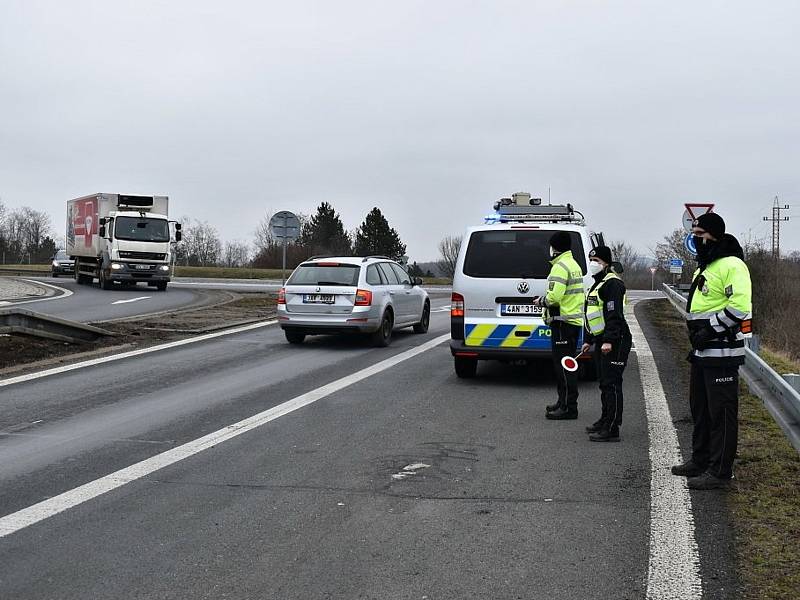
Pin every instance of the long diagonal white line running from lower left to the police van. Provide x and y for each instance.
(57, 504)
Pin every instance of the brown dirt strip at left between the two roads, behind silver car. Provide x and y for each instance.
(19, 353)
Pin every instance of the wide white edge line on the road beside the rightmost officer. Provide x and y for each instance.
(674, 565)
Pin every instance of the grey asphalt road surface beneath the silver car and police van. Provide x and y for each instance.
(508, 505)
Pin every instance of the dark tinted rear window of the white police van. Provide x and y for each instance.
(512, 254)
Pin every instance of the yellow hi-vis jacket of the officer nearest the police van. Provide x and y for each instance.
(565, 292)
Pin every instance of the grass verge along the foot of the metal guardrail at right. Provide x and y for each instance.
(765, 501)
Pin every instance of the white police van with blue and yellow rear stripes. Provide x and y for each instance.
(501, 266)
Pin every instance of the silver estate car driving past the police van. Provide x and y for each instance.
(352, 294)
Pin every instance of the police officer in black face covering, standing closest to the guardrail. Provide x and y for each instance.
(719, 312)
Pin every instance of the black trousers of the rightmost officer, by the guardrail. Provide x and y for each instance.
(714, 402)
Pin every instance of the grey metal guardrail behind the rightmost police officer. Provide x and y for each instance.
(780, 398)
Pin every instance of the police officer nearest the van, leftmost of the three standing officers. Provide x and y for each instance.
(563, 312)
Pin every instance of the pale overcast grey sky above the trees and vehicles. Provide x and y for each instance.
(429, 110)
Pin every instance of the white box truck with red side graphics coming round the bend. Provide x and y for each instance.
(120, 238)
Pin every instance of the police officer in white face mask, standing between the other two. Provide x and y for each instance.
(607, 329)
